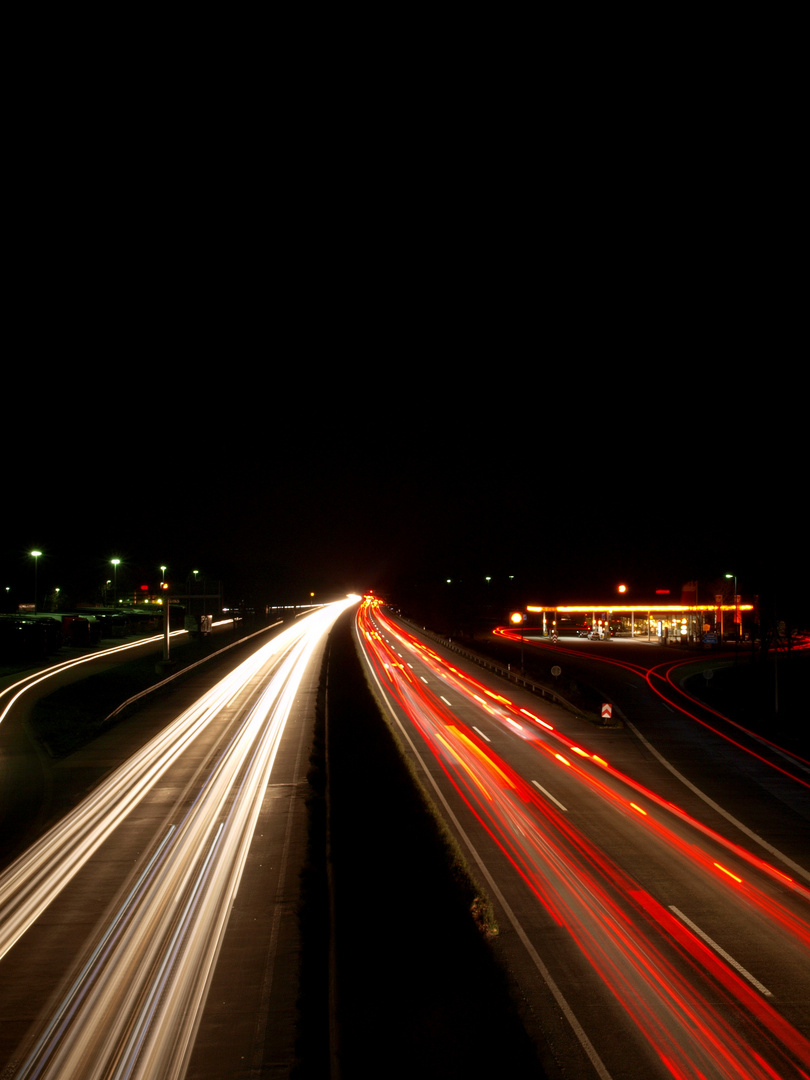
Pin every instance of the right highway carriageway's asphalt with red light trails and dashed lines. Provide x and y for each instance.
(654, 931)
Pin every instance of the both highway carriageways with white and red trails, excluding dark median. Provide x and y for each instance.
(655, 904)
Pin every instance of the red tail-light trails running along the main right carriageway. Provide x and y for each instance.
(699, 1015)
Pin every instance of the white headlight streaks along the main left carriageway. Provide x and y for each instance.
(136, 1008)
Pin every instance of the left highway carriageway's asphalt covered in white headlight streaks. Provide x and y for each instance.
(112, 925)
